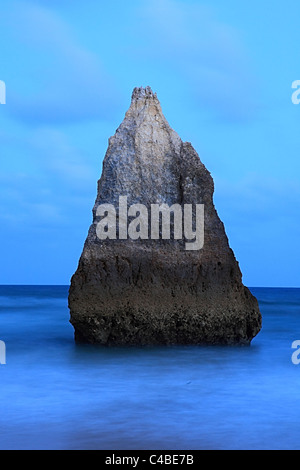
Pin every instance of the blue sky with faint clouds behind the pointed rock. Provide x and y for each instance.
(223, 73)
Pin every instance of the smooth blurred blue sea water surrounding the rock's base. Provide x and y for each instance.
(55, 394)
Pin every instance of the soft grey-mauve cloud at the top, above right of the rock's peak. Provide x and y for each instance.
(208, 53)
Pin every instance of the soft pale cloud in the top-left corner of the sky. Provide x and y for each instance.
(62, 80)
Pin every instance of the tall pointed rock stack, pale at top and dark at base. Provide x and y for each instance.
(148, 291)
